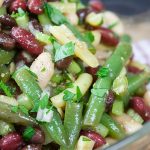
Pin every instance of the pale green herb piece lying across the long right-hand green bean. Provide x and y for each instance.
(99, 92)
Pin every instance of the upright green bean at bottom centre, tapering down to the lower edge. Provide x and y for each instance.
(72, 122)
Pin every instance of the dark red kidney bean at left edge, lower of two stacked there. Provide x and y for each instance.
(6, 41)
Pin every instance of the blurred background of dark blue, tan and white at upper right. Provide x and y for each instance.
(135, 14)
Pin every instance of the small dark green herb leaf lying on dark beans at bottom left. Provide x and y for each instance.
(28, 133)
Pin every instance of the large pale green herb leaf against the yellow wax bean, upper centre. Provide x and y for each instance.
(64, 51)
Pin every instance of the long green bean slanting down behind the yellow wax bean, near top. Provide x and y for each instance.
(58, 18)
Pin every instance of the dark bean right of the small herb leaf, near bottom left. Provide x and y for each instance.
(38, 137)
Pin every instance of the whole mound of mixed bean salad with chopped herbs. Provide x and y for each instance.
(68, 79)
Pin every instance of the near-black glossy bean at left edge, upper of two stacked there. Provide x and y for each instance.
(7, 21)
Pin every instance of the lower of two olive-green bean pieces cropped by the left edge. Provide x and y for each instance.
(4, 73)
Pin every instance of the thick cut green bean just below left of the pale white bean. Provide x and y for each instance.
(27, 81)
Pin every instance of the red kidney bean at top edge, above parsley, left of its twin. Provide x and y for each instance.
(18, 4)
